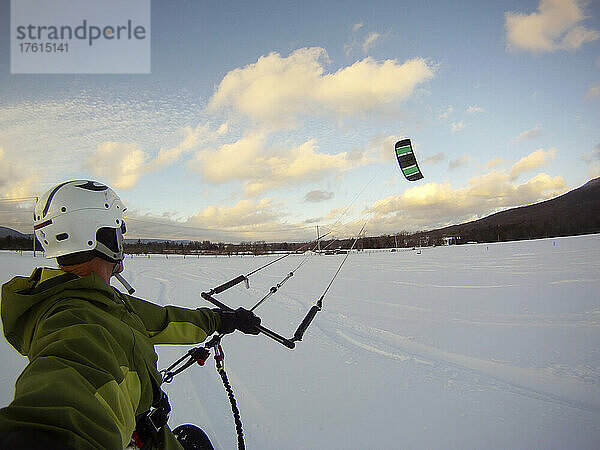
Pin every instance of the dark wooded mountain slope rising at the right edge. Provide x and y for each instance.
(573, 213)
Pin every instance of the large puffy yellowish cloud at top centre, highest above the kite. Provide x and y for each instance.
(277, 90)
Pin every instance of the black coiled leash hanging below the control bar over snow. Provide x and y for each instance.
(199, 355)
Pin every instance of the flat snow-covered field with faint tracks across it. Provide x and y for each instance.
(477, 346)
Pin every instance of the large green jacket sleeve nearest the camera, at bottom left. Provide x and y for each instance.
(78, 387)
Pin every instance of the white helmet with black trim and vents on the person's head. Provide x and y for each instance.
(80, 216)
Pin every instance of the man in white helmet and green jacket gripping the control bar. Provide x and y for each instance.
(92, 376)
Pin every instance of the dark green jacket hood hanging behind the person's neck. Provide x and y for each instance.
(24, 300)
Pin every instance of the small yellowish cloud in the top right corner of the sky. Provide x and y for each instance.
(554, 26)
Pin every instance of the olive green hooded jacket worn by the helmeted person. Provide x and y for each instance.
(92, 364)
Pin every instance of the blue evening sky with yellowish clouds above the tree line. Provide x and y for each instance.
(263, 120)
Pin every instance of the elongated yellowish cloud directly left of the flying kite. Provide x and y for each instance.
(261, 167)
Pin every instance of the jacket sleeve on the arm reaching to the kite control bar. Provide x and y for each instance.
(173, 324)
